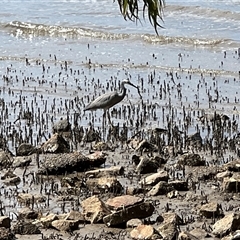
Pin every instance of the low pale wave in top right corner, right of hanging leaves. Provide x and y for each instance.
(204, 12)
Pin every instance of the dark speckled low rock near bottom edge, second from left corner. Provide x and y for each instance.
(25, 228)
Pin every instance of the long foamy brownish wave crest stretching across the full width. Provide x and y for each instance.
(30, 29)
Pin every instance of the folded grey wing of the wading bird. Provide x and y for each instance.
(106, 100)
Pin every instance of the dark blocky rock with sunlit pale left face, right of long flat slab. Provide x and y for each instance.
(147, 165)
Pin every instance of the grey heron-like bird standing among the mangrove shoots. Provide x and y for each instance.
(108, 100)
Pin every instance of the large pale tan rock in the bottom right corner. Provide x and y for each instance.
(229, 223)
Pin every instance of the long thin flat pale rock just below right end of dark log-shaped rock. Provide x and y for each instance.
(102, 172)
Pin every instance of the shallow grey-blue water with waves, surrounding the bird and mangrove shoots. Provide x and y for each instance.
(46, 49)
